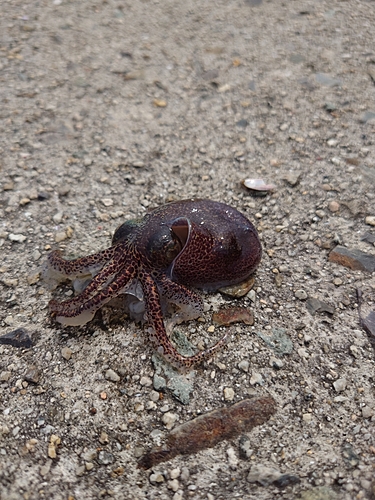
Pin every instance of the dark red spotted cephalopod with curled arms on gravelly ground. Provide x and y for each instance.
(199, 243)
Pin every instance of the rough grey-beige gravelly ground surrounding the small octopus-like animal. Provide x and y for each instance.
(109, 108)
